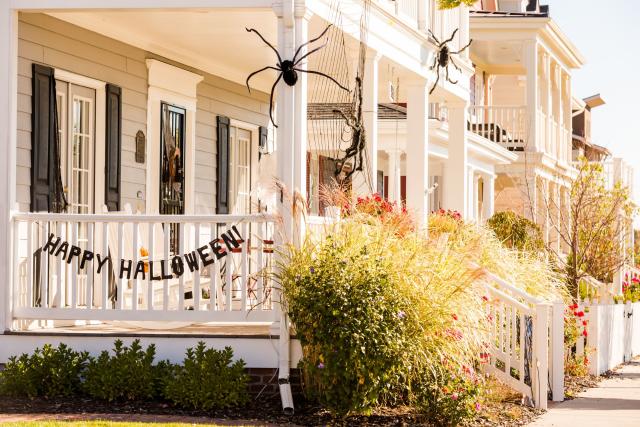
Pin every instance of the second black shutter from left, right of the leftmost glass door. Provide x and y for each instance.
(113, 142)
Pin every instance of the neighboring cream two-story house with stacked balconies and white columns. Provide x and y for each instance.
(522, 99)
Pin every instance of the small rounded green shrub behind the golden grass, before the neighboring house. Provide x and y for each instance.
(516, 232)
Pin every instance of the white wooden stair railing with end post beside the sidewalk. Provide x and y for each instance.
(526, 350)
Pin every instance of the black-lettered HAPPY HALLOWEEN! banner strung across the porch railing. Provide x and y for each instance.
(158, 270)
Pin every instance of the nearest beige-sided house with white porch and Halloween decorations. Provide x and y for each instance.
(121, 107)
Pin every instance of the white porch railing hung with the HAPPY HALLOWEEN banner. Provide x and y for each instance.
(190, 268)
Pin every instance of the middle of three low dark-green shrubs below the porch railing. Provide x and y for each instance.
(127, 375)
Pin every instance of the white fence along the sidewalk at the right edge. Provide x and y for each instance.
(613, 334)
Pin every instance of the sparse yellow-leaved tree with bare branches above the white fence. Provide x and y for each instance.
(595, 227)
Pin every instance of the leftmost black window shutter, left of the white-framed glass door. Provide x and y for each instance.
(43, 129)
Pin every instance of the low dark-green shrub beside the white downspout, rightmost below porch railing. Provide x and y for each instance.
(208, 379)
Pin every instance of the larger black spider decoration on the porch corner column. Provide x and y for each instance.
(288, 68)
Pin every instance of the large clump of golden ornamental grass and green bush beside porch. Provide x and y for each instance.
(387, 315)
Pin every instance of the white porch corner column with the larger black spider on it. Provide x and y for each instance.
(285, 117)
